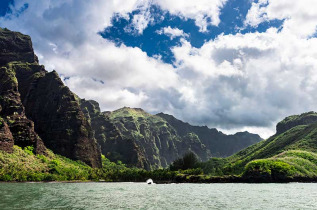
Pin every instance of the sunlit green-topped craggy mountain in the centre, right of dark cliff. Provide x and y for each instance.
(138, 138)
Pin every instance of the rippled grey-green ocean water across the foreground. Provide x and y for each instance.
(160, 196)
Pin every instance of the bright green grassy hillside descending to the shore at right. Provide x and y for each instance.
(290, 154)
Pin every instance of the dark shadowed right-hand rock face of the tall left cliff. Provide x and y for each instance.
(56, 114)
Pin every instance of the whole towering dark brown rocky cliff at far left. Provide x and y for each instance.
(38, 107)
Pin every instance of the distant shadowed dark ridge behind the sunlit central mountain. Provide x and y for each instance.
(219, 144)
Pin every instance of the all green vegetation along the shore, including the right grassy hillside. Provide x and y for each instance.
(284, 157)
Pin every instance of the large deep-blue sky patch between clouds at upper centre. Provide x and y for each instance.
(232, 17)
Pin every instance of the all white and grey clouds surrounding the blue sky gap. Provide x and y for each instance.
(235, 82)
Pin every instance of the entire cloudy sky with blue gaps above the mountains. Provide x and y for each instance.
(231, 64)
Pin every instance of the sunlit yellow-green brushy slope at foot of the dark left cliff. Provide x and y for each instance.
(23, 165)
